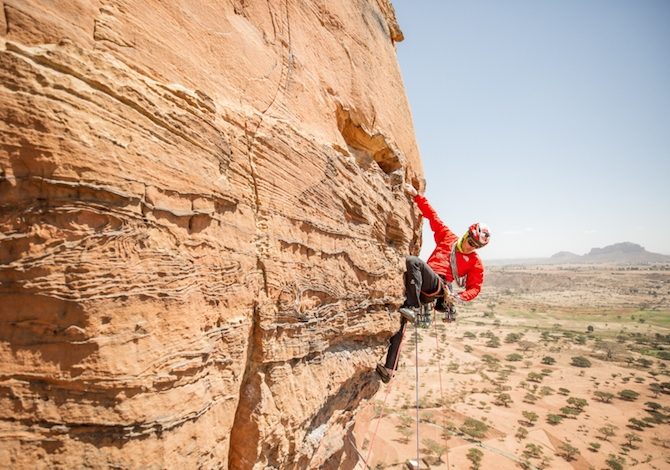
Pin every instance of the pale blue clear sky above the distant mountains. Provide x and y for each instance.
(547, 120)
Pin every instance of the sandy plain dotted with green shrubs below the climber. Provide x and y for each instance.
(617, 318)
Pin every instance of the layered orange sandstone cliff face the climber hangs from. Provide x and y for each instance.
(202, 229)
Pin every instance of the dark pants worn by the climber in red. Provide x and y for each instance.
(419, 277)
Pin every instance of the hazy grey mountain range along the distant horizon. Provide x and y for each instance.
(619, 253)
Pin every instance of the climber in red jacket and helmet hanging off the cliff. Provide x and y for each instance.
(454, 260)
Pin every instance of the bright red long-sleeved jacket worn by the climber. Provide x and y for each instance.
(439, 261)
